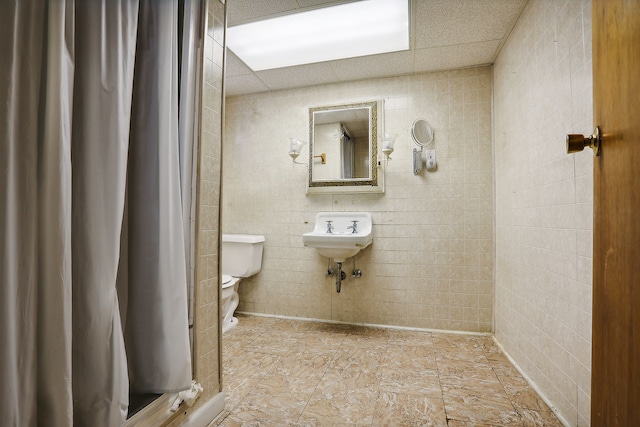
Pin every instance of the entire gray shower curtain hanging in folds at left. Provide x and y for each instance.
(89, 115)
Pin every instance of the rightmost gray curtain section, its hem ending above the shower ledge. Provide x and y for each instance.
(157, 273)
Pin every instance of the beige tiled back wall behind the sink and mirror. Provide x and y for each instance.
(431, 261)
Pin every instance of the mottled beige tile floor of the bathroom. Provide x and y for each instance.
(297, 373)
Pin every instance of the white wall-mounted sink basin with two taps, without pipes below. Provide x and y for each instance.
(334, 236)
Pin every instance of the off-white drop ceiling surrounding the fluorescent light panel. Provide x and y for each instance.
(473, 30)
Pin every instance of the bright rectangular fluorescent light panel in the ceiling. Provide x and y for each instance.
(345, 31)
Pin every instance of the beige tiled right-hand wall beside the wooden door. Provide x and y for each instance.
(544, 212)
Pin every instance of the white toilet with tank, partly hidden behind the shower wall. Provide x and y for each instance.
(241, 257)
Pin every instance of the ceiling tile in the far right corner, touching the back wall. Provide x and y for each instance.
(451, 57)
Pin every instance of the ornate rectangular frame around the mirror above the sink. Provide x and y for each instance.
(372, 183)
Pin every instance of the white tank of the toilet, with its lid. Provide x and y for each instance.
(241, 254)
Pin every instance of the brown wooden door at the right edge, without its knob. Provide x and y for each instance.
(615, 375)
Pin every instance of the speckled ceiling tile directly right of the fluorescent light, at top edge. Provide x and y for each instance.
(452, 22)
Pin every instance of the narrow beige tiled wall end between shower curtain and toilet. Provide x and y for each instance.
(207, 314)
